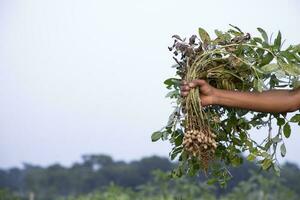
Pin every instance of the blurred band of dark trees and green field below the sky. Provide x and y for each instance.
(99, 177)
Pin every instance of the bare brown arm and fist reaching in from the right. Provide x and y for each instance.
(272, 101)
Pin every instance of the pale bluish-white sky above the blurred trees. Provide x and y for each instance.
(79, 77)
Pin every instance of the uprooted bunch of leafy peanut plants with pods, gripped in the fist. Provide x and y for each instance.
(212, 138)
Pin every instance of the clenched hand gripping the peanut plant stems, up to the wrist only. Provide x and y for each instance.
(207, 92)
